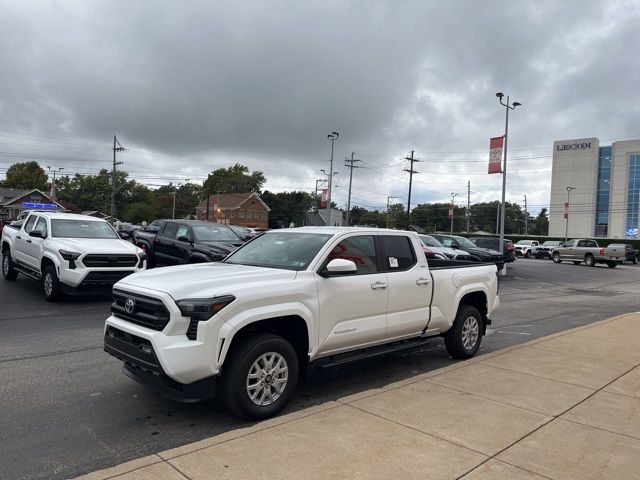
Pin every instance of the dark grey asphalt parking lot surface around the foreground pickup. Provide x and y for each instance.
(67, 409)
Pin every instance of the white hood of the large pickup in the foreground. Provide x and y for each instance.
(203, 279)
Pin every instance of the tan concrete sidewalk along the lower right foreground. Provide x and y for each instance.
(565, 406)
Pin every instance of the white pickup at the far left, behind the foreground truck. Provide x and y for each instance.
(68, 253)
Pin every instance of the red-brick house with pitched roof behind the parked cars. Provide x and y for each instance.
(244, 209)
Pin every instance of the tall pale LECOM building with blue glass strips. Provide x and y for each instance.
(595, 190)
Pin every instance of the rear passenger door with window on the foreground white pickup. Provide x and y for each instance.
(410, 287)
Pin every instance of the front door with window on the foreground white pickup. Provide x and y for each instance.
(352, 307)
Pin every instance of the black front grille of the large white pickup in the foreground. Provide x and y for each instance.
(146, 311)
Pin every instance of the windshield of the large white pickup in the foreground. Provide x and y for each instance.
(290, 251)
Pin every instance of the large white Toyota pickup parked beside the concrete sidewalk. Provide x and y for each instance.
(289, 300)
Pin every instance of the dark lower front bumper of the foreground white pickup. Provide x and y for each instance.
(142, 365)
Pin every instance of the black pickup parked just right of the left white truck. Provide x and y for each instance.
(187, 241)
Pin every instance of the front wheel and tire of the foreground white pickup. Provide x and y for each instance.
(259, 376)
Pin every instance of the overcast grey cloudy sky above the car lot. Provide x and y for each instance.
(191, 86)
